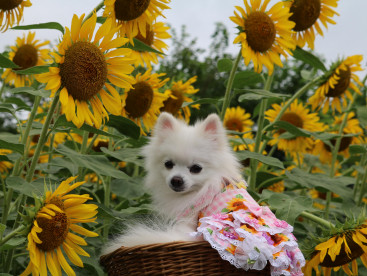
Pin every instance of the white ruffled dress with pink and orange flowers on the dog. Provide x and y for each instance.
(249, 235)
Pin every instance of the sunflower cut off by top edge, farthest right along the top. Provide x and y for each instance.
(308, 14)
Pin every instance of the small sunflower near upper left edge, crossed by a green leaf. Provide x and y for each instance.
(26, 53)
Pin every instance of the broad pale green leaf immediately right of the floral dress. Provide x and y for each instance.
(289, 207)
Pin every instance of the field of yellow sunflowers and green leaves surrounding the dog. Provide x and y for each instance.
(74, 116)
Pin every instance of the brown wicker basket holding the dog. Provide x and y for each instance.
(175, 258)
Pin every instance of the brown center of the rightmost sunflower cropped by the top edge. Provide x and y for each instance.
(304, 13)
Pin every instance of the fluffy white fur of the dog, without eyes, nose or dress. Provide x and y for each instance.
(204, 144)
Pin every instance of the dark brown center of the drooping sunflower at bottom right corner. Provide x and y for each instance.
(343, 257)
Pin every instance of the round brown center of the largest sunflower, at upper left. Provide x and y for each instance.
(84, 70)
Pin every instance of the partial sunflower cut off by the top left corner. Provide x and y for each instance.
(10, 11)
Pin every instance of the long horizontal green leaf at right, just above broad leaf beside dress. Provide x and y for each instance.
(336, 185)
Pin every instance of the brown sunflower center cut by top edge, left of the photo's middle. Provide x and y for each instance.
(127, 10)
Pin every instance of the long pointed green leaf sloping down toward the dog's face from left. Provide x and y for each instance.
(96, 163)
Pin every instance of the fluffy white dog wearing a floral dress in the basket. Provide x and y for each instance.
(193, 176)
